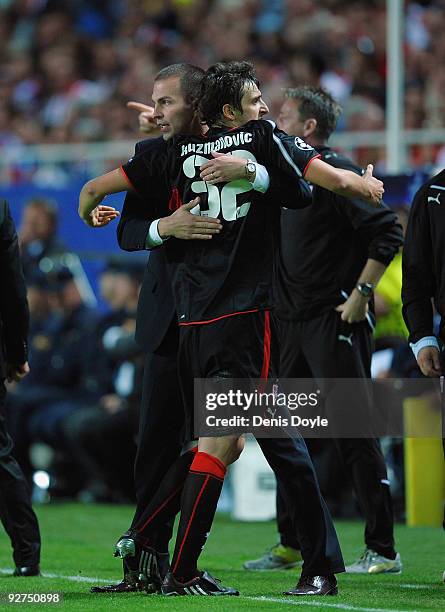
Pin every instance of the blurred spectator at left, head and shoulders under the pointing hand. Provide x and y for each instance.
(38, 234)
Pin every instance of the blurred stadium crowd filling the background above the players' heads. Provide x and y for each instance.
(68, 68)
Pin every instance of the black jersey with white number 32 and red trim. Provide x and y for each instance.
(233, 272)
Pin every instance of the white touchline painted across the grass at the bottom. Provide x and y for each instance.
(287, 601)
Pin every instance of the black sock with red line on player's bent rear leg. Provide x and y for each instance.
(165, 504)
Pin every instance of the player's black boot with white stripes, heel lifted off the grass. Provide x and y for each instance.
(142, 563)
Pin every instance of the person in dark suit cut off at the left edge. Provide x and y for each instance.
(16, 513)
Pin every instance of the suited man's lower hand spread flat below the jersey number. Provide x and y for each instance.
(184, 225)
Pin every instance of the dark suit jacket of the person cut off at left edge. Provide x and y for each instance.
(14, 313)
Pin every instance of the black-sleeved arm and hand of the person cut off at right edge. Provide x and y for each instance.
(418, 287)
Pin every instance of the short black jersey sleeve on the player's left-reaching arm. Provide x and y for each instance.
(147, 173)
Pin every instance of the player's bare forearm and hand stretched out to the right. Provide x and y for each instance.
(345, 182)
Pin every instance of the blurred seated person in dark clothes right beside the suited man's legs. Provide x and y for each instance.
(101, 436)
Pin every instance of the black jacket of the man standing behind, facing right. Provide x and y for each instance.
(324, 248)
